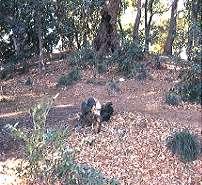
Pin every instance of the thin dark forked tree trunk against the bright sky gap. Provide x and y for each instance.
(148, 8)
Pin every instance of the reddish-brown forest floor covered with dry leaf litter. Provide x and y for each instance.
(131, 147)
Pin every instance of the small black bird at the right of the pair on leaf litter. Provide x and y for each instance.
(106, 111)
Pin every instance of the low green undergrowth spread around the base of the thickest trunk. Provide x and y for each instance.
(126, 57)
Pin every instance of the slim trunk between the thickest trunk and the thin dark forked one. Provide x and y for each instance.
(137, 23)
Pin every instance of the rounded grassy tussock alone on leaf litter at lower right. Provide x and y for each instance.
(185, 145)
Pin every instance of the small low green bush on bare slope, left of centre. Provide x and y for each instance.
(70, 78)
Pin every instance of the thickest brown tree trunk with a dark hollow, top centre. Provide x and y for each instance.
(106, 40)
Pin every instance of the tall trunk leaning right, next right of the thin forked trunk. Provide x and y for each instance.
(172, 30)
